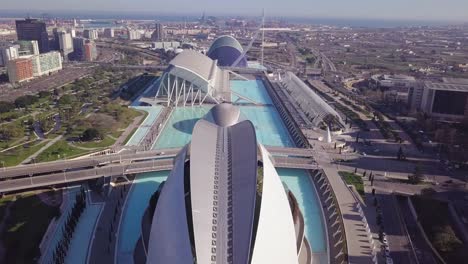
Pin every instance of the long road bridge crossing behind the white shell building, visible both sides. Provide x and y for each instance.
(61, 172)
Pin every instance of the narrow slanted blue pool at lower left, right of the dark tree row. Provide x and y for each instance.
(78, 250)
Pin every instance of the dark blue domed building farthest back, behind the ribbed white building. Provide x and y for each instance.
(226, 50)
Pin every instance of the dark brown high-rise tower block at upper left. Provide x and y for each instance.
(33, 29)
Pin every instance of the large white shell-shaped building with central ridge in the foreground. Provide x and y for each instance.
(224, 202)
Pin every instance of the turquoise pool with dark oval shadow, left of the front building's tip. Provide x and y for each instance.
(178, 130)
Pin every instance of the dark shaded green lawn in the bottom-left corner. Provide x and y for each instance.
(25, 227)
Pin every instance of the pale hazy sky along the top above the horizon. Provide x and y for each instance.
(437, 10)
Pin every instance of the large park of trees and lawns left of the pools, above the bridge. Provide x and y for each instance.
(96, 104)
